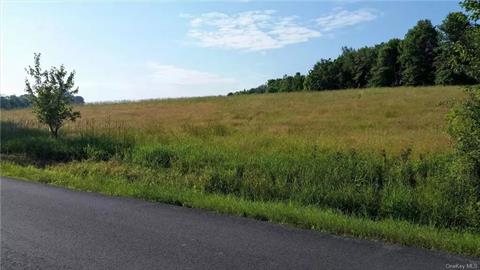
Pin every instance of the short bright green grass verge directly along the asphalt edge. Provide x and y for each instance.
(324, 220)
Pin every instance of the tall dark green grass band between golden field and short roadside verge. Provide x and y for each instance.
(359, 183)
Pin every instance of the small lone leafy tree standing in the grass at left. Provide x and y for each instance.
(51, 94)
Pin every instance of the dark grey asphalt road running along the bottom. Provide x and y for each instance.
(44, 227)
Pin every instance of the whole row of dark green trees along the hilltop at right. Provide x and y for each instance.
(427, 55)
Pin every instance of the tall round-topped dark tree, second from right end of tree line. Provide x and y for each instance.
(418, 54)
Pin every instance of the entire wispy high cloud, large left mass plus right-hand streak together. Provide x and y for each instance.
(263, 30)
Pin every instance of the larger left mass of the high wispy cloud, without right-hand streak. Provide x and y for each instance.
(251, 31)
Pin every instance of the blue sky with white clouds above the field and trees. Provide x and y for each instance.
(138, 50)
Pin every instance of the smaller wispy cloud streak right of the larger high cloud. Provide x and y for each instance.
(343, 18)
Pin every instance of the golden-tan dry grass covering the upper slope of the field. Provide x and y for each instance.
(375, 119)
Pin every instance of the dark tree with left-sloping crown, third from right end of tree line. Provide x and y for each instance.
(387, 71)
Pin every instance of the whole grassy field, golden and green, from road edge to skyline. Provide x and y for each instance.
(374, 163)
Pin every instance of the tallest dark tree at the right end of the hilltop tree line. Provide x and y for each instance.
(453, 30)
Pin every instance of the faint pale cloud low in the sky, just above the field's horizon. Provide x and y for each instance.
(168, 74)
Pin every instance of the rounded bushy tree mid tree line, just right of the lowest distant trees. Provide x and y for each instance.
(323, 76)
